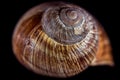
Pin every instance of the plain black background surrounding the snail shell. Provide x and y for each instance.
(12, 10)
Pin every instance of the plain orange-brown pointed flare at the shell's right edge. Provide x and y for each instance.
(104, 52)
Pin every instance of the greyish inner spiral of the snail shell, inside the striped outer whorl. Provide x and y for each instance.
(66, 24)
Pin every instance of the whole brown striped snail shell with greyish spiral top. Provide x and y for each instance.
(60, 40)
